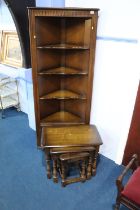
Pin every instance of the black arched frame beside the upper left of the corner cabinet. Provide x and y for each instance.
(18, 10)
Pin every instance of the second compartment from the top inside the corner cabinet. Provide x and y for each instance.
(71, 60)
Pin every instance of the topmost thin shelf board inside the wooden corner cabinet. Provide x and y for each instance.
(63, 47)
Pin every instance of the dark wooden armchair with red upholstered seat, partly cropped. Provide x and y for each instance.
(129, 195)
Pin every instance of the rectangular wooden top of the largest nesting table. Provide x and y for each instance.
(78, 135)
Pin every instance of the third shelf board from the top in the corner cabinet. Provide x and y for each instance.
(63, 94)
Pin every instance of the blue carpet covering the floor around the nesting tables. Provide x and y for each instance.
(23, 181)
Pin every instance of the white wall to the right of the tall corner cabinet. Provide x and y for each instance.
(117, 71)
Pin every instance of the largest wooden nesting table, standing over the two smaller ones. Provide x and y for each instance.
(70, 137)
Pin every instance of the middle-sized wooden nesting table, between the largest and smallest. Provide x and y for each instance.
(55, 154)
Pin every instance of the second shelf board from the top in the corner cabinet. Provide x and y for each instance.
(62, 71)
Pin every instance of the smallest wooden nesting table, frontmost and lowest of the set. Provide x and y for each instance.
(65, 159)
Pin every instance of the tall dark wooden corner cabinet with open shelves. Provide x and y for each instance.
(63, 52)
